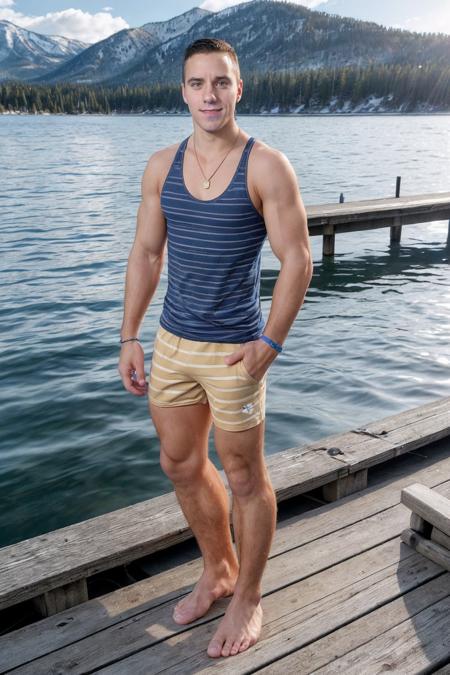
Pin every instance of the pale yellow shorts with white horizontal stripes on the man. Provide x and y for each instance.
(184, 372)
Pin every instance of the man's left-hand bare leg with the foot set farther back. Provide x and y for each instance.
(183, 432)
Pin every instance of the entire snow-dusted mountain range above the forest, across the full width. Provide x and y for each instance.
(268, 36)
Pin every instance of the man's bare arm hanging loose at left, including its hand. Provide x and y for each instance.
(144, 267)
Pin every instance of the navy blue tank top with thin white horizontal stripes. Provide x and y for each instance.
(214, 259)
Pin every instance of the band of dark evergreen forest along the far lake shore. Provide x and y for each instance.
(406, 87)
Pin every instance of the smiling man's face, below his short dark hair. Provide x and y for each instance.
(211, 89)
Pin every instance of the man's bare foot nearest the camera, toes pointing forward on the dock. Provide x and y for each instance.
(239, 629)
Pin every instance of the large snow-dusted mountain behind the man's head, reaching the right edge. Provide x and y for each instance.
(271, 36)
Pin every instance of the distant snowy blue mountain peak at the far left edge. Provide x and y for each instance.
(24, 53)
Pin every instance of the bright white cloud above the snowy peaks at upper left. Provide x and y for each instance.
(71, 23)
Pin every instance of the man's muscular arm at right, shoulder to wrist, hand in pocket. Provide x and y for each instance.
(287, 230)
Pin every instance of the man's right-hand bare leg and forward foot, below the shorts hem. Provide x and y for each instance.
(254, 518)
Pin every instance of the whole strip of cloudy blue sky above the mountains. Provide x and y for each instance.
(92, 20)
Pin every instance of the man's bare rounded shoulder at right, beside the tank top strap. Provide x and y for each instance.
(271, 170)
